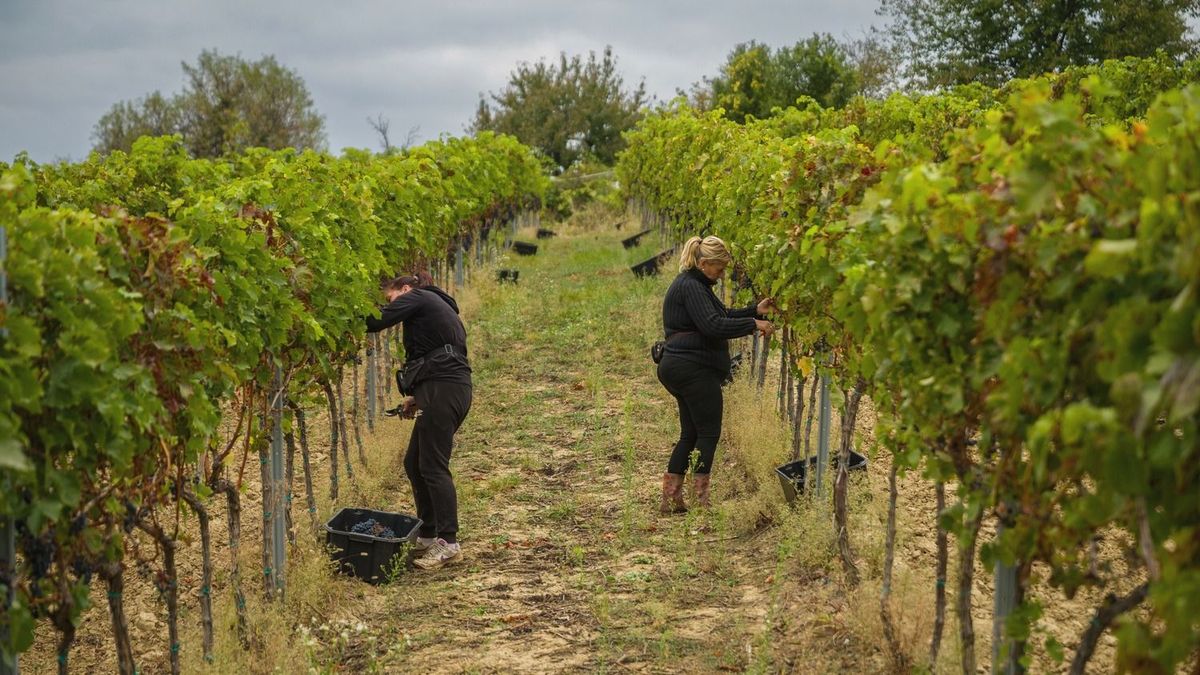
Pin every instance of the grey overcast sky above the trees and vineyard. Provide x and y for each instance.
(64, 63)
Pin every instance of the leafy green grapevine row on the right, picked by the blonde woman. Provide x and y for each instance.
(1012, 277)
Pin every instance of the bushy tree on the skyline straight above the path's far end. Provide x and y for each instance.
(569, 110)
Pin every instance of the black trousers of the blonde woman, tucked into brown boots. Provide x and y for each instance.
(698, 389)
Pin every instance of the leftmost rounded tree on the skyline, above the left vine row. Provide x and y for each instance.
(227, 105)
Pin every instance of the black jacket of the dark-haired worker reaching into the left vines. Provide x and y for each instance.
(431, 322)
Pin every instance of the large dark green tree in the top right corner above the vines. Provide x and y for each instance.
(947, 43)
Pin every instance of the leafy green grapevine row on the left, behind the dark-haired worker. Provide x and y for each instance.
(152, 295)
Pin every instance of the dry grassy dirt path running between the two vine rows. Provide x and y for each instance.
(559, 465)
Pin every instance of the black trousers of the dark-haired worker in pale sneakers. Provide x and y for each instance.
(445, 407)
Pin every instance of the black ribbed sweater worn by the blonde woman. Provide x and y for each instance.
(691, 307)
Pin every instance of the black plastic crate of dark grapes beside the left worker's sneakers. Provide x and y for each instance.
(368, 557)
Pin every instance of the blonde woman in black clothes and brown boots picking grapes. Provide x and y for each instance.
(697, 362)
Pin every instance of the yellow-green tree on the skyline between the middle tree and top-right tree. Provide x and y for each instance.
(757, 79)
